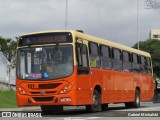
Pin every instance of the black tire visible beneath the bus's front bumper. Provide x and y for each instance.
(49, 109)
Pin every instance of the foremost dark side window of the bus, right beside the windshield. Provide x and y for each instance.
(82, 58)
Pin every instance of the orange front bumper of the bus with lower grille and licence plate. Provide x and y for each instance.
(60, 99)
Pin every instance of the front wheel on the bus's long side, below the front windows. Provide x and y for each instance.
(96, 106)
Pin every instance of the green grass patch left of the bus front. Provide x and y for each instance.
(8, 99)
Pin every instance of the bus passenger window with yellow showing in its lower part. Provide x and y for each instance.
(94, 55)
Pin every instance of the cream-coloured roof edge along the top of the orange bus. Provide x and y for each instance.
(97, 40)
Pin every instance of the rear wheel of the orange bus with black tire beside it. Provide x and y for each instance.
(136, 103)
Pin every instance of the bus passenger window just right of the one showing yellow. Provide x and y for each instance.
(105, 53)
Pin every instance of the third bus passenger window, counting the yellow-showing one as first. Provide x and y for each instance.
(117, 62)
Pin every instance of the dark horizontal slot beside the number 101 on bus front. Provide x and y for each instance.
(49, 86)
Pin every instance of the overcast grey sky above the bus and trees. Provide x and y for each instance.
(114, 20)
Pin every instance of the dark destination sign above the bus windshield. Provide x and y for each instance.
(45, 38)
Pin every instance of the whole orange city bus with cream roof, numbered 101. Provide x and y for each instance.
(70, 68)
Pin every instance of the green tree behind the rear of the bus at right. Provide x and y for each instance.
(152, 46)
